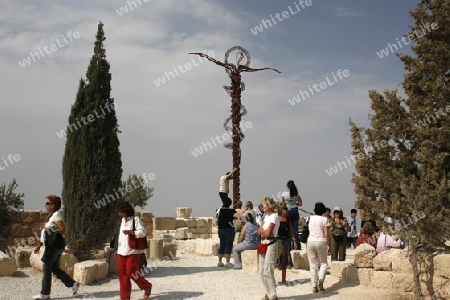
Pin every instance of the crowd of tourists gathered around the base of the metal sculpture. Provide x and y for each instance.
(274, 224)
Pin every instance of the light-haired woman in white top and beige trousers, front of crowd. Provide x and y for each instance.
(268, 231)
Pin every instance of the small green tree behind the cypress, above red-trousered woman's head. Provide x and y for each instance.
(135, 192)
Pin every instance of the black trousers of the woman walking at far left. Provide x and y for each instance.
(51, 260)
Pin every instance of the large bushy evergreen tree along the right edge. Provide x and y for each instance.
(412, 170)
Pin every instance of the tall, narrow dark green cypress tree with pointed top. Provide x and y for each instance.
(92, 165)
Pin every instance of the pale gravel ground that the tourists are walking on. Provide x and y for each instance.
(190, 277)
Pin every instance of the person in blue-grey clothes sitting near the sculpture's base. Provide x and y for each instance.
(248, 240)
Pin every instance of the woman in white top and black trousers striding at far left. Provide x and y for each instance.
(52, 237)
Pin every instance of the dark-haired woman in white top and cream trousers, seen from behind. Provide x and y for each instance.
(316, 247)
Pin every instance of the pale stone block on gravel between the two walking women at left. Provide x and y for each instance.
(89, 271)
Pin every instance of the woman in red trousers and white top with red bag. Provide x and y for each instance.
(128, 258)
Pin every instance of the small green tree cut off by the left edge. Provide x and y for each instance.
(10, 203)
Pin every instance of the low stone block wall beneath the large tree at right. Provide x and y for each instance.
(392, 270)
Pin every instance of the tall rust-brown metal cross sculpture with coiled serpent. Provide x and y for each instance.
(237, 108)
